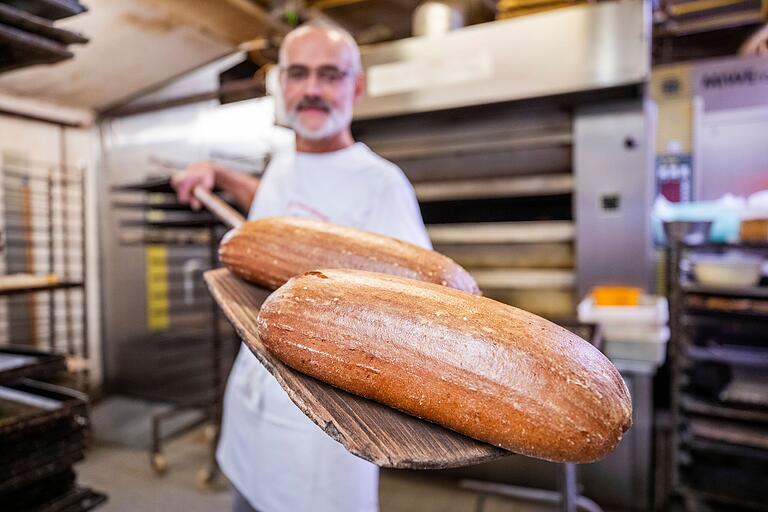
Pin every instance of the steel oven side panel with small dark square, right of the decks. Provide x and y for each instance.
(614, 191)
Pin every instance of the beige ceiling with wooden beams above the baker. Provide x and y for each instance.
(138, 45)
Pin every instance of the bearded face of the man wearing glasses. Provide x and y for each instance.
(319, 84)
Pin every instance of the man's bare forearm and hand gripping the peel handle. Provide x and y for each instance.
(240, 186)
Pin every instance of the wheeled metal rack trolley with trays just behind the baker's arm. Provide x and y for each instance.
(165, 222)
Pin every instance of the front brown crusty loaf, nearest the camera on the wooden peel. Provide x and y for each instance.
(487, 370)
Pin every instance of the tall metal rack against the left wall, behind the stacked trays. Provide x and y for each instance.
(42, 222)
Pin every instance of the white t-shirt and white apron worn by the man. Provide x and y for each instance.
(273, 454)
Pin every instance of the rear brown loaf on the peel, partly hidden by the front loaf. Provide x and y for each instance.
(270, 251)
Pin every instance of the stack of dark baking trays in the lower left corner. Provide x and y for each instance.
(42, 434)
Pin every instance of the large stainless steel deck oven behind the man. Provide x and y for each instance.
(529, 143)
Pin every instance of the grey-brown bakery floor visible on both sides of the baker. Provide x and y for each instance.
(118, 464)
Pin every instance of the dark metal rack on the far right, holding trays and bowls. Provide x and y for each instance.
(720, 440)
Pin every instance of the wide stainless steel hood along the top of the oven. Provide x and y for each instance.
(571, 50)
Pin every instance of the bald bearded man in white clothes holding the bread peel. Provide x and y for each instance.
(275, 457)
